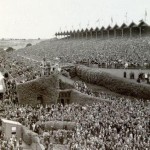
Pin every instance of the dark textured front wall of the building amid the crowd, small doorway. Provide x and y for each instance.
(47, 87)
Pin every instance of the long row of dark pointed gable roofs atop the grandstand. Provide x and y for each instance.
(131, 30)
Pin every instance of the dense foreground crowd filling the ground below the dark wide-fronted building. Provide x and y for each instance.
(121, 124)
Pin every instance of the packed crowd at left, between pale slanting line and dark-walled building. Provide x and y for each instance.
(21, 69)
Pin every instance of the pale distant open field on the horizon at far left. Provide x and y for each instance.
(17, 44)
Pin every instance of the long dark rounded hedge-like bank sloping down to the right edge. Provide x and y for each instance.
(113, 83)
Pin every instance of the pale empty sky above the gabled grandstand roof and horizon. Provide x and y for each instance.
(43, 18)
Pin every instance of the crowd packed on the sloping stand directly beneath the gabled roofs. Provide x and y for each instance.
(107, 53)
